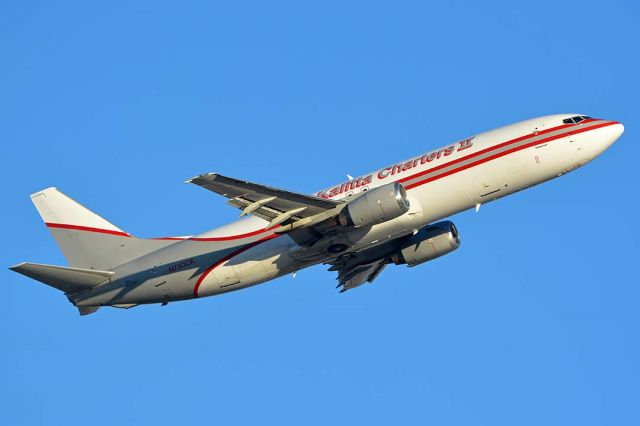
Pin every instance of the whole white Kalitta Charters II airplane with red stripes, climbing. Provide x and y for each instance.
(394, 215)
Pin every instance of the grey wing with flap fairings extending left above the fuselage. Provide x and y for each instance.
(291, 210)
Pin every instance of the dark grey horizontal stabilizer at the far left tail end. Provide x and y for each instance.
(69, 280)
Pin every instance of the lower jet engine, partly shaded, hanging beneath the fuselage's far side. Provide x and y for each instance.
(429, 243)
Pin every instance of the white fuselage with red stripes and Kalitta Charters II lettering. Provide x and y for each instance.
(440, 183)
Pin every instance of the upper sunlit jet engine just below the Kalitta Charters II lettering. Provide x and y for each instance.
(376, 206)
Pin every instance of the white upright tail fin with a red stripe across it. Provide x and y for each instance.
(87, 240)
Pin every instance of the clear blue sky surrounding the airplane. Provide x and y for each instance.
(533, 321)
